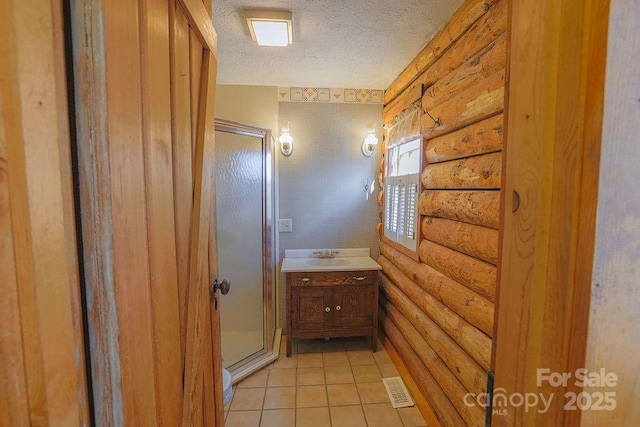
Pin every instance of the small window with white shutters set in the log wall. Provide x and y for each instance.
(402, 189)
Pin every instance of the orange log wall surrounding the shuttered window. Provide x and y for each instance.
(438, 310)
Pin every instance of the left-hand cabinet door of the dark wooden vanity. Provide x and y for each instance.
(309, 306)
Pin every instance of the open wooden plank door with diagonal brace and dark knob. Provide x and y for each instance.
(144, 92)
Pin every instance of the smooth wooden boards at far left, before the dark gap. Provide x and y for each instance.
(42, 369)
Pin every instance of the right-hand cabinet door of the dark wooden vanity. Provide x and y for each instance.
(352, 306)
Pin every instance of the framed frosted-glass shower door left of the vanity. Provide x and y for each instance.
(244, 221)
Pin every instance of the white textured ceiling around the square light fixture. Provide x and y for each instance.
(336, 43)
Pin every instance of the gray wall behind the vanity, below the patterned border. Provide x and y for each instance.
(321, 185)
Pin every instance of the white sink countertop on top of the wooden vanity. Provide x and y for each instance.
(349, 259)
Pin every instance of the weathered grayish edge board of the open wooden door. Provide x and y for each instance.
(93, 168)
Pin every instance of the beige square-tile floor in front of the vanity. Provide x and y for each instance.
(333, 383)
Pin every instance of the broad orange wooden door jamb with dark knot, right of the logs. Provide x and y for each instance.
(554, 69)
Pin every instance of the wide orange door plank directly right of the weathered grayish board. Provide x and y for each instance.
(130, 233)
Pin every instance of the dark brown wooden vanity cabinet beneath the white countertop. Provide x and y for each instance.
(332, 304)
